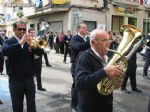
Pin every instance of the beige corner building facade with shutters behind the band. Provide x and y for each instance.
(63, 15)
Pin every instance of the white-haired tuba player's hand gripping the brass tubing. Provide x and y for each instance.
(113, 70)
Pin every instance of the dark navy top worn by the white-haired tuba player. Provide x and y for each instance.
(89, 71)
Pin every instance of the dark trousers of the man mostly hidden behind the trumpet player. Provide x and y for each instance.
(38, 70)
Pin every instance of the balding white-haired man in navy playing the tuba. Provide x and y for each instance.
(90, 70)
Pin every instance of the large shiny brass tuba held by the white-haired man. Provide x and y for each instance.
(132, 39)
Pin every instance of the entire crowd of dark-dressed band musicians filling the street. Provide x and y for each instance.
(88, 57)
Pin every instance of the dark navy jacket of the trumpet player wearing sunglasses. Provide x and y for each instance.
(20, 60)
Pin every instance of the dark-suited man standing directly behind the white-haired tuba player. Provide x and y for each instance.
(78, 43)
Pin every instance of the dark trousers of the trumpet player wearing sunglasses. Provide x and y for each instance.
(17, 92)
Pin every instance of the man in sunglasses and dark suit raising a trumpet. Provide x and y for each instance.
(20, 68)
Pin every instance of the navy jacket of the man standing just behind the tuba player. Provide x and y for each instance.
(77, 45)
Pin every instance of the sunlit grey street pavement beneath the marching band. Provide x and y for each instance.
(57, 80)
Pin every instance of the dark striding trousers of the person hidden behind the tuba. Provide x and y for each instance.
(131, 72)
